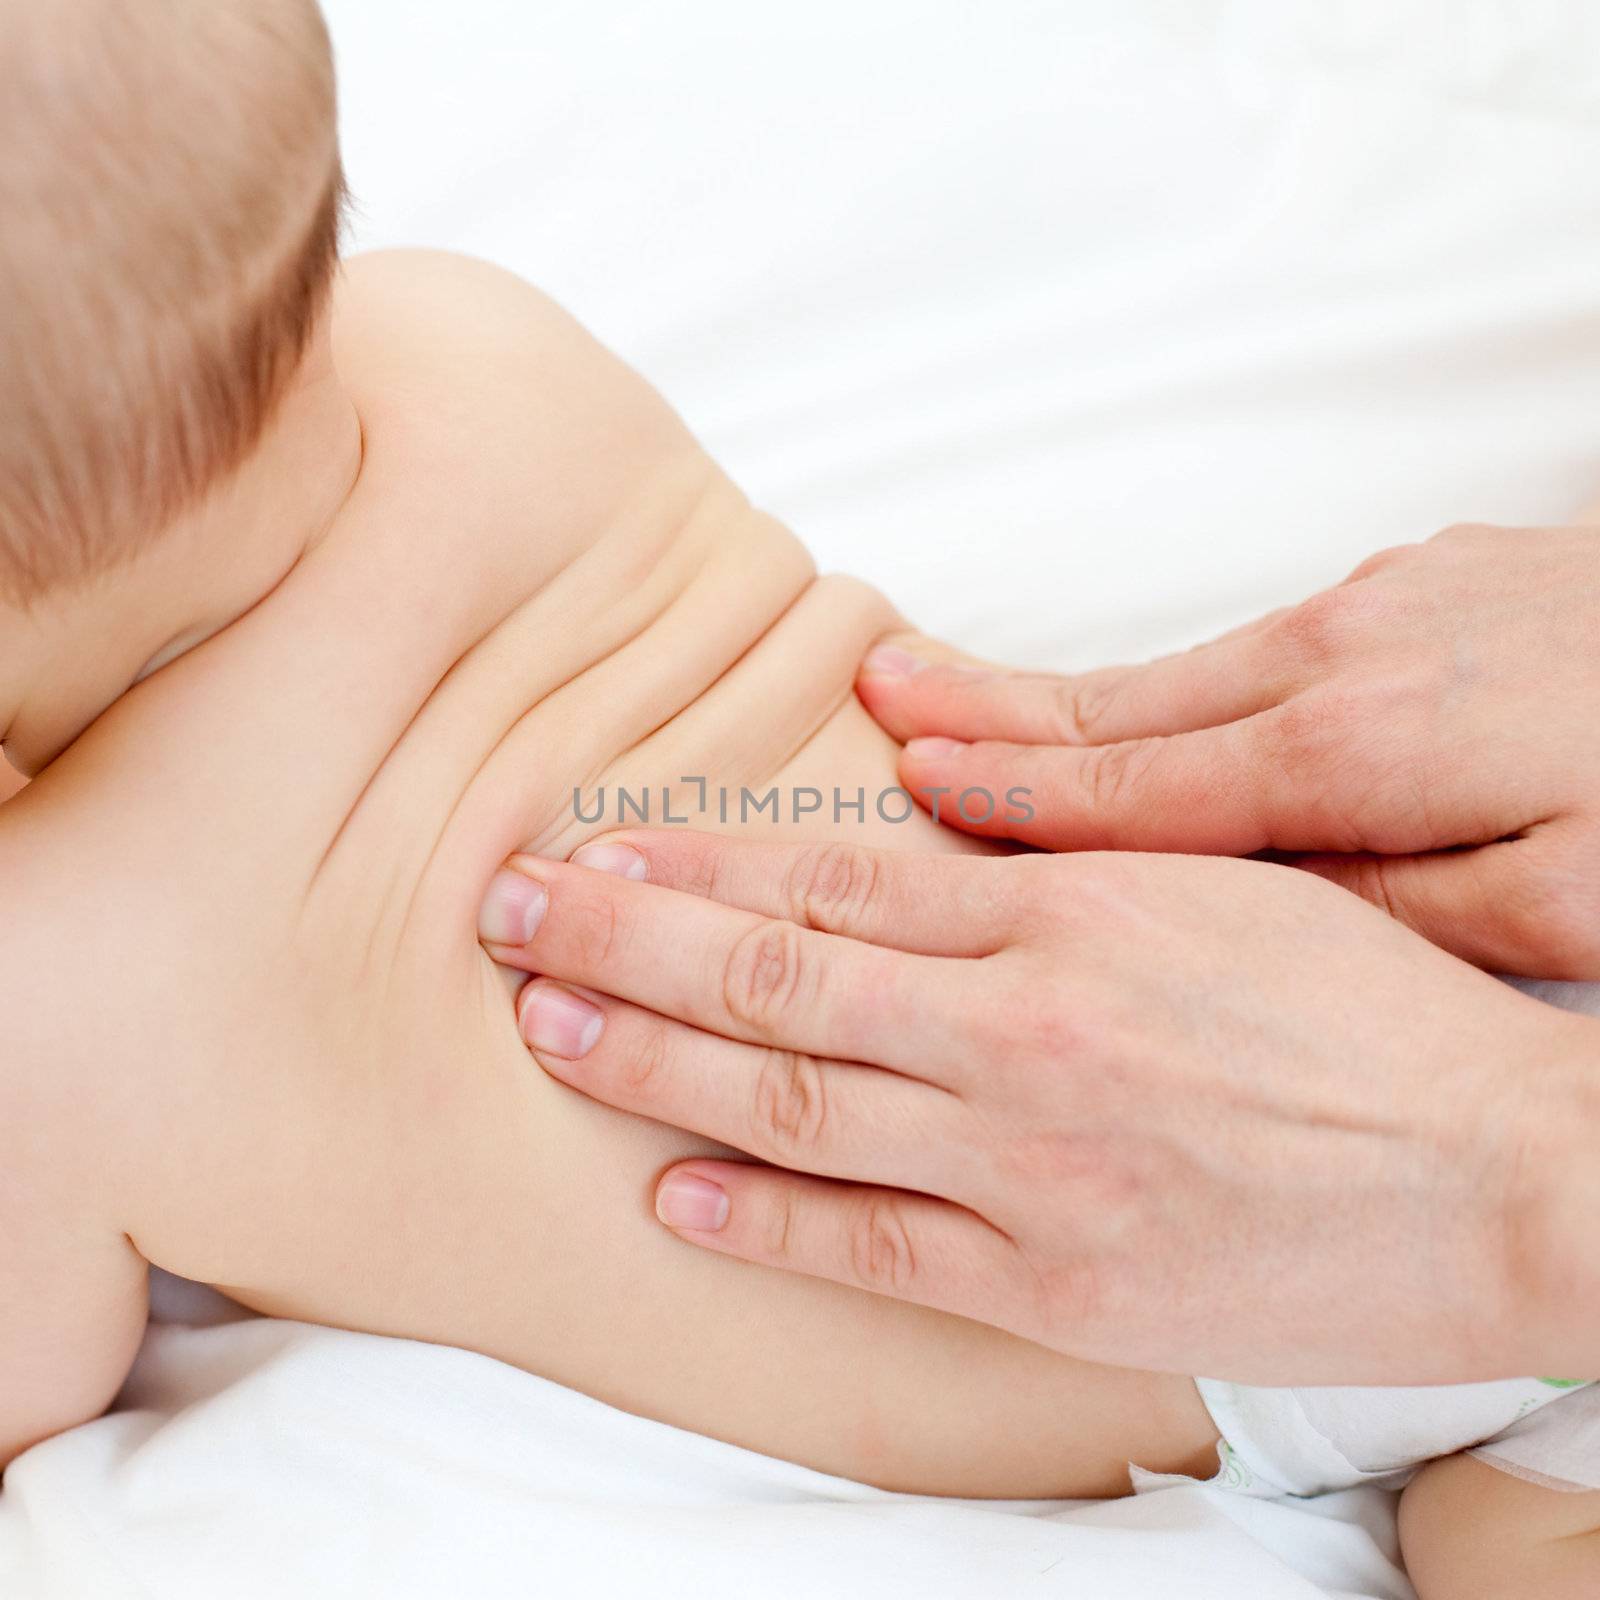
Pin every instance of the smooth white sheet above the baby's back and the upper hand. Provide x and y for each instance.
(1153, 314)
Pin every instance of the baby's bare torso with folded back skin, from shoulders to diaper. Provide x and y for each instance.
(258, 1041)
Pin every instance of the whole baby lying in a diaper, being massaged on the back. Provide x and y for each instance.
(318, 599)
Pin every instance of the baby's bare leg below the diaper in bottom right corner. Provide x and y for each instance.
(1471, 1532)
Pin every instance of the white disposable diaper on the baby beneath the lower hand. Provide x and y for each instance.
(1313, 1441)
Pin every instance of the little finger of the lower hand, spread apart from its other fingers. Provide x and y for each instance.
(886, 1241)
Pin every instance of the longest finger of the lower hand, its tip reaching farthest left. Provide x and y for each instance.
(719, 967)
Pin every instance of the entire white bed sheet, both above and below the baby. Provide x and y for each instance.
(1086, 330)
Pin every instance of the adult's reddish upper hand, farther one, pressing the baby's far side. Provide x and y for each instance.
(1430, 730)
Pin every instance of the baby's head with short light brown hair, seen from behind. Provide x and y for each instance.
(170, 202)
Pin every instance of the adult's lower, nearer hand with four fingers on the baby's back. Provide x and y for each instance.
(1161, 1111)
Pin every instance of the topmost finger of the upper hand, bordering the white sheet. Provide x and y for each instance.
(1201, 689)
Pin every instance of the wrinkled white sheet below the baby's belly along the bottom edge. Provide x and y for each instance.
(268, 1460)
